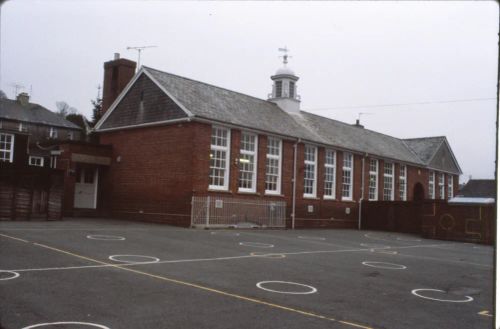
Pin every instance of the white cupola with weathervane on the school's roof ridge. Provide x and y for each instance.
(285, 87)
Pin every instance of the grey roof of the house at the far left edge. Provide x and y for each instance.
(33, 113)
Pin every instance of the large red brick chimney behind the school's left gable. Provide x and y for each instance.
(117, 73)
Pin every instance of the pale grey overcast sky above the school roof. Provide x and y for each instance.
(351, 57)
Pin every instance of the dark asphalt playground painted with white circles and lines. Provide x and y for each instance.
(101, 273)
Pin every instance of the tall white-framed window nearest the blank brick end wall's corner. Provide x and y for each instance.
(219, 158)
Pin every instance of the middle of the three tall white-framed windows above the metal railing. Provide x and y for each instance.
(248, 162)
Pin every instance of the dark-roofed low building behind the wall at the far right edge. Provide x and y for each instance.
(481, 191)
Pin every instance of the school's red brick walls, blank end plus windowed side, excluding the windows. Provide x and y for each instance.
(161, 168)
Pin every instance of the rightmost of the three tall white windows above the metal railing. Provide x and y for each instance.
(273, 166)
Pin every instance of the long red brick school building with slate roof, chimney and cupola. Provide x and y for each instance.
(187, 153)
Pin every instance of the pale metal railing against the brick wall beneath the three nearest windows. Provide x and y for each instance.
(213, 211)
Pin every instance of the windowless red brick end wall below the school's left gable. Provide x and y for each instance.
(154, 178)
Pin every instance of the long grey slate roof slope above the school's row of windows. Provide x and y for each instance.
(202, 100)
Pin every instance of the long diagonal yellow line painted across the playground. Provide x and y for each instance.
(216, 291)
